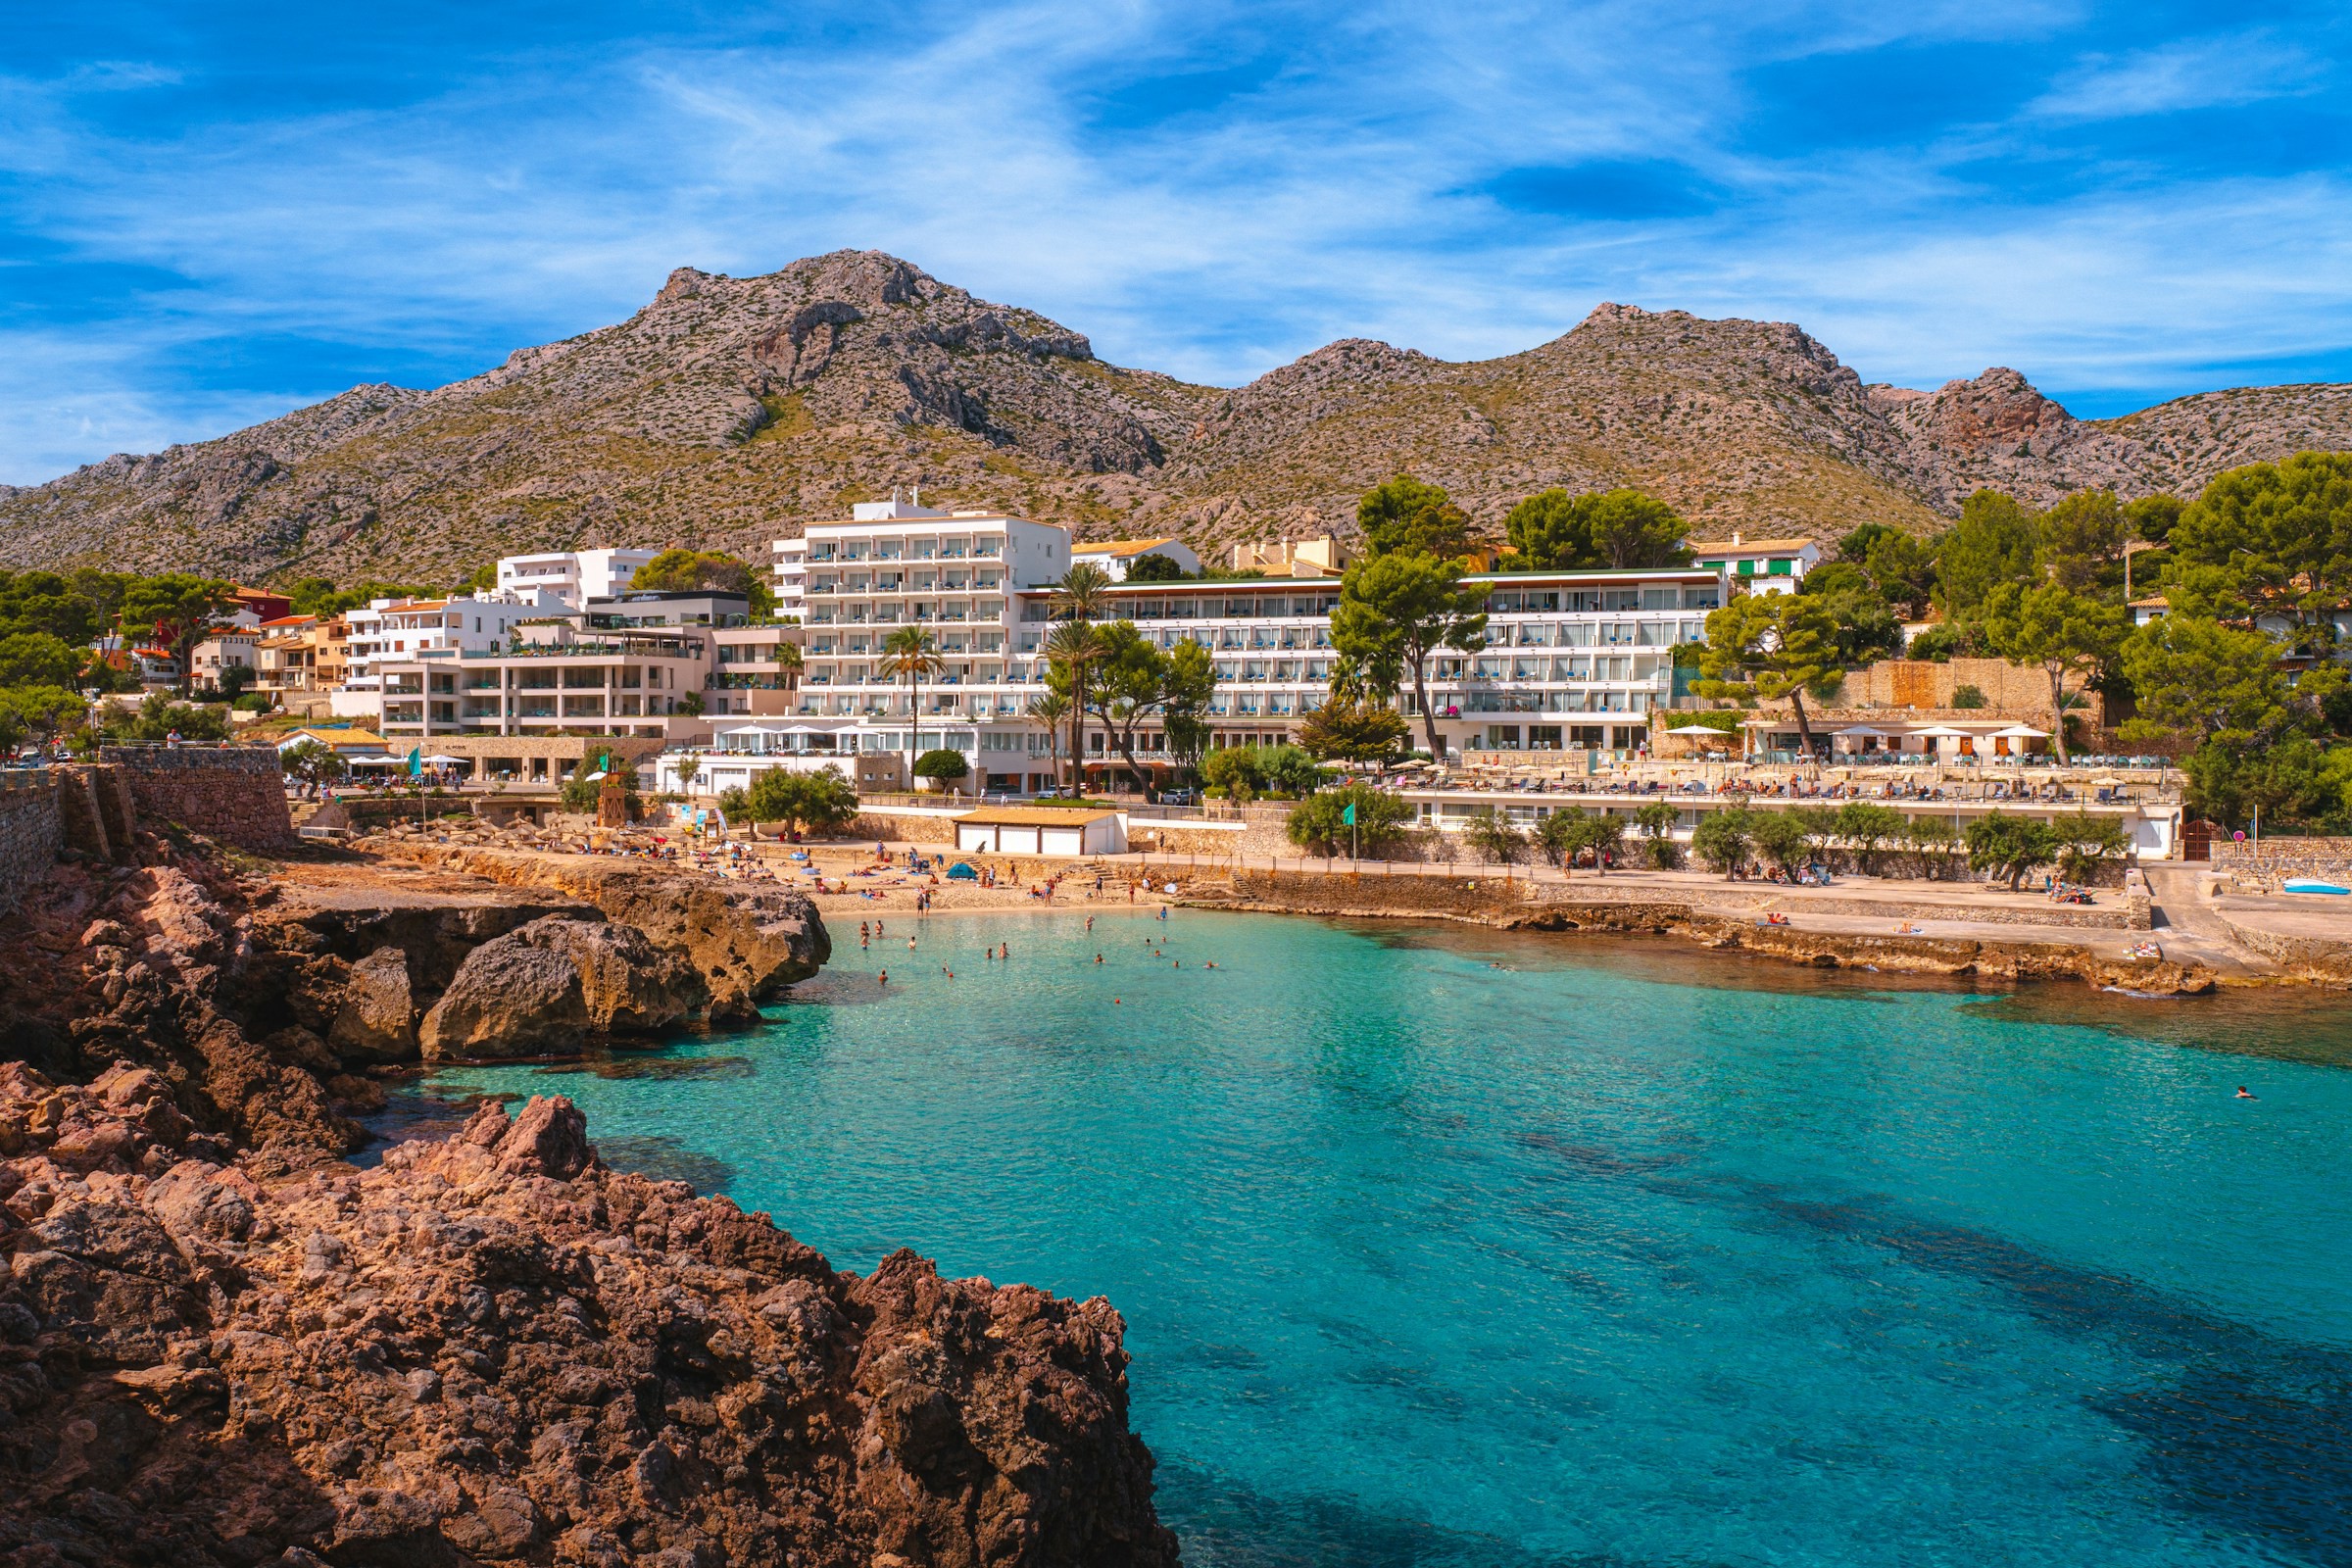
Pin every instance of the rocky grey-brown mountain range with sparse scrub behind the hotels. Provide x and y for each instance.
(735, 408)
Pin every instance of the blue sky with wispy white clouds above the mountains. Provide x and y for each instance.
(211, 215)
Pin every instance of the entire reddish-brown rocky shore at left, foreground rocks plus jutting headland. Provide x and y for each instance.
(225, 1346)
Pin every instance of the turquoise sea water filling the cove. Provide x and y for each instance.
(1466, 1249)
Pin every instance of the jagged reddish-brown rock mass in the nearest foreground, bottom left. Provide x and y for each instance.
(493, 1351)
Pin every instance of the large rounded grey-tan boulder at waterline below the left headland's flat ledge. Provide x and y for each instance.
(554, 984)
